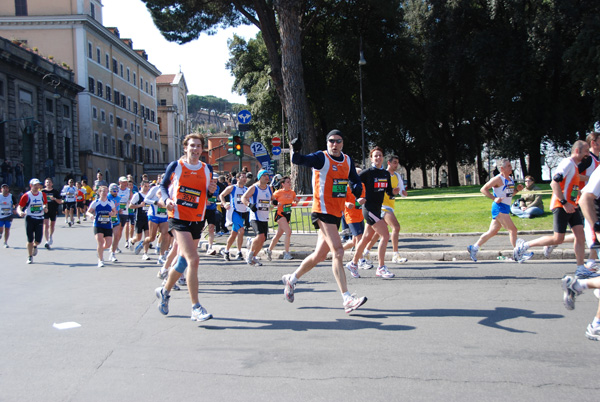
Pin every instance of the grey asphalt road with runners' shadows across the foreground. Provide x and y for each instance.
(441, 330)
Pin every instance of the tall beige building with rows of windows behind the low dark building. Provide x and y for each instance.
(117, 113)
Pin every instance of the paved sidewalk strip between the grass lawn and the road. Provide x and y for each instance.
(427, 247)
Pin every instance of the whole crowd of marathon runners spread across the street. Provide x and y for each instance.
(172, 212)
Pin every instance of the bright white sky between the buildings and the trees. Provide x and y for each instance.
(201, 61)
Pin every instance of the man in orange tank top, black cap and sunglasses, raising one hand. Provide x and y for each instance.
(332, 170)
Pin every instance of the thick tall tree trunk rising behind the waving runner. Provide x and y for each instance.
(297, 110)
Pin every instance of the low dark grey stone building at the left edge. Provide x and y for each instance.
(39, 135)
